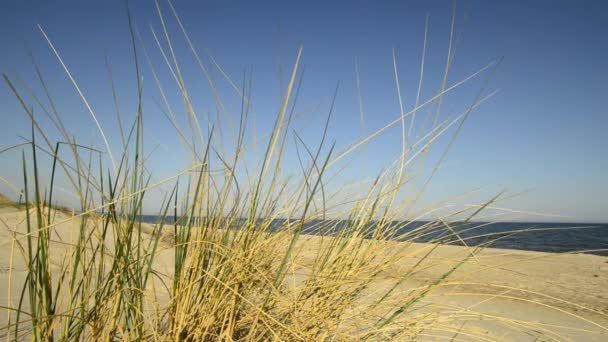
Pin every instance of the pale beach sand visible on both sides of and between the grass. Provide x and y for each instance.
(495, 293)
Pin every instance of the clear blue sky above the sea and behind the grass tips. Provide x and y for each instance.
(541, 137)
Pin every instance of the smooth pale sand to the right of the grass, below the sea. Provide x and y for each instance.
(562, 293)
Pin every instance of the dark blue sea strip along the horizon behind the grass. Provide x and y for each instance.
(588, 238)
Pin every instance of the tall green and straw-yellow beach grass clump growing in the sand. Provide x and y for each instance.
(229, 256)
